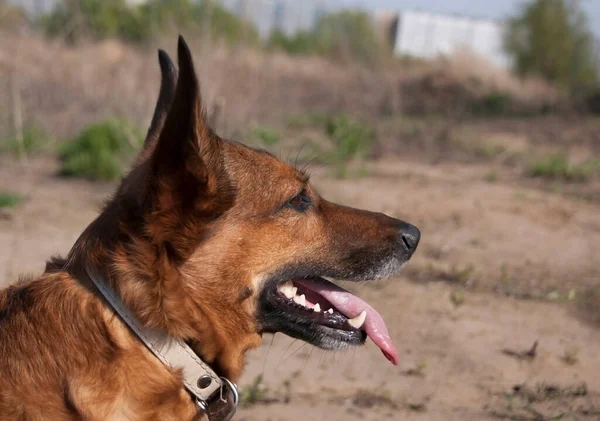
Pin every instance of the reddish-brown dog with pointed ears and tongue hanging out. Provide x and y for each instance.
(207, 240)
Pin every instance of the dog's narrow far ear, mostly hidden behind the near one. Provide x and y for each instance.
(168, 83)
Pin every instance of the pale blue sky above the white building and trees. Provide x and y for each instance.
(491, 9)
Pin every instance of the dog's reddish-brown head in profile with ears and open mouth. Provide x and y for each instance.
(219, 242)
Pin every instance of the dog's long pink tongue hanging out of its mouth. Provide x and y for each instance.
(351, 306)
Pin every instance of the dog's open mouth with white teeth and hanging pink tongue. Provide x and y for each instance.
(324, 314)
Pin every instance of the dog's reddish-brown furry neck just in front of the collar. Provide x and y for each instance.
(153, 287)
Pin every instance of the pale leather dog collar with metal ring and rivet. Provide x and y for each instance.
(216, 396)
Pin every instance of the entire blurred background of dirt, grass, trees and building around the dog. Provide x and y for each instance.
(476, 121)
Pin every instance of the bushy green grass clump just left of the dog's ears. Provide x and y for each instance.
(100, 151)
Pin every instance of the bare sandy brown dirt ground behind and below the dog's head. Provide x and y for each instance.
(501, 266)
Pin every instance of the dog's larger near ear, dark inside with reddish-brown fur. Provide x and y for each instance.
(188, 185)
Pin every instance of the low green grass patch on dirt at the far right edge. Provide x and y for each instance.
(558, 167)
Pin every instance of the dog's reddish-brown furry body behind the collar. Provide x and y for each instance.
(65, 356)
